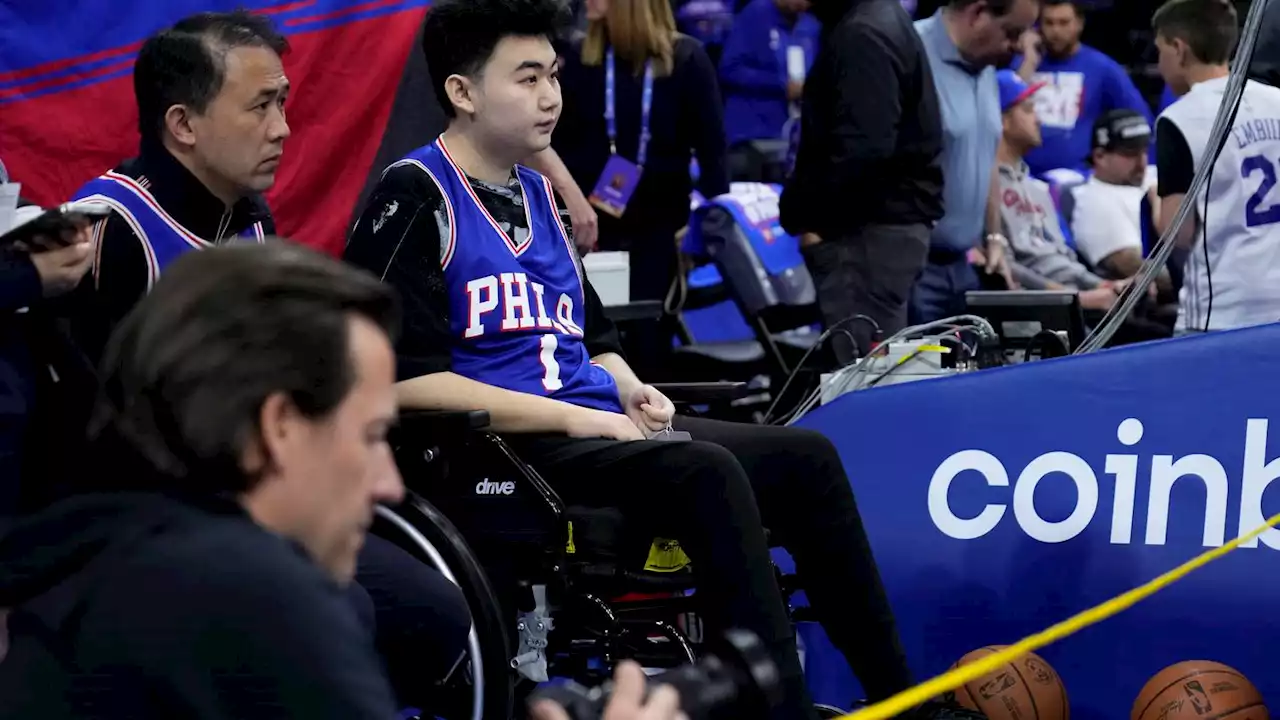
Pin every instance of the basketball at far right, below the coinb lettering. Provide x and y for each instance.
(1199, 689)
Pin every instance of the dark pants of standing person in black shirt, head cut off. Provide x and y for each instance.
(870, 272)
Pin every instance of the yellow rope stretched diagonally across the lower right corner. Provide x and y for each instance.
(953, 680)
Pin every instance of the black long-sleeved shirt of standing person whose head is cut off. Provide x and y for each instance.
(871, 130)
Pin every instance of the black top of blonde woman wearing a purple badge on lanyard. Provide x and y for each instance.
(687, 121)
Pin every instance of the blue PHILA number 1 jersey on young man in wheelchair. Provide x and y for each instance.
(516, 311)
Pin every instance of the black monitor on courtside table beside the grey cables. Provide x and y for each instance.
(1026, 318)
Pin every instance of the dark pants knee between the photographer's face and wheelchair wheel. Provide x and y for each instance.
(420, 619)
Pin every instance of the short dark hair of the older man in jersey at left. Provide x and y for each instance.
(186, 65)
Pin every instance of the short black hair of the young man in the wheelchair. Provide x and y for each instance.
(459, 37)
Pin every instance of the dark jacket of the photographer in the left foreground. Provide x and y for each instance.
(143, 607)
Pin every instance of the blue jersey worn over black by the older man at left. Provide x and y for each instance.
(163, 238)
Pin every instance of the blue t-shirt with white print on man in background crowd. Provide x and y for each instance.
(1078, 90)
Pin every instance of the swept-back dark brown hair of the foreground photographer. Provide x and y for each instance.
(186, 373)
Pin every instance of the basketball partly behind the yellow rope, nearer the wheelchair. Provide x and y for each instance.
(1028, 689)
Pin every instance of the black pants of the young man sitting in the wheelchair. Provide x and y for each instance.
(715, 496)
